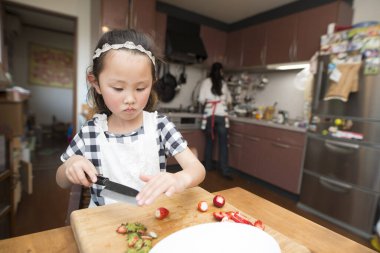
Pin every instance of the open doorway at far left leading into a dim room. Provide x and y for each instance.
(53, 107)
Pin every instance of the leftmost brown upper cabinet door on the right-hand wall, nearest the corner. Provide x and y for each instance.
(234, 53)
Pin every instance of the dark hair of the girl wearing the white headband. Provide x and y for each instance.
(120, 37)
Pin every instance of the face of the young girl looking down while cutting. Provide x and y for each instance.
(125, 83)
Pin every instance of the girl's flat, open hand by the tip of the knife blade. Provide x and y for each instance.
(162, 182)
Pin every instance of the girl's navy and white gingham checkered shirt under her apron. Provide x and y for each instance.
(85, 143)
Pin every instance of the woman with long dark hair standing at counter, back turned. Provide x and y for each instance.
(215, 98)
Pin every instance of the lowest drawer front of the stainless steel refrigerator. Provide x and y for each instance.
(340, 201)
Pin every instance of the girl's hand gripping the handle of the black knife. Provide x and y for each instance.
(79, 170)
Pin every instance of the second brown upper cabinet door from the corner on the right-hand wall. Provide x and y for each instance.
(254, 43)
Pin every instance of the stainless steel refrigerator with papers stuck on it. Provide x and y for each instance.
(341, 174)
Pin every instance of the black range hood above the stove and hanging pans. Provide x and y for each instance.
(183, 42)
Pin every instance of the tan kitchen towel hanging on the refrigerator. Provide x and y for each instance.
(347, 83)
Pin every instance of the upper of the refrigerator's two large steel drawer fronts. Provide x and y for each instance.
(356, 164)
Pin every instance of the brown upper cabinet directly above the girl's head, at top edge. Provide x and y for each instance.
(136, 14)
